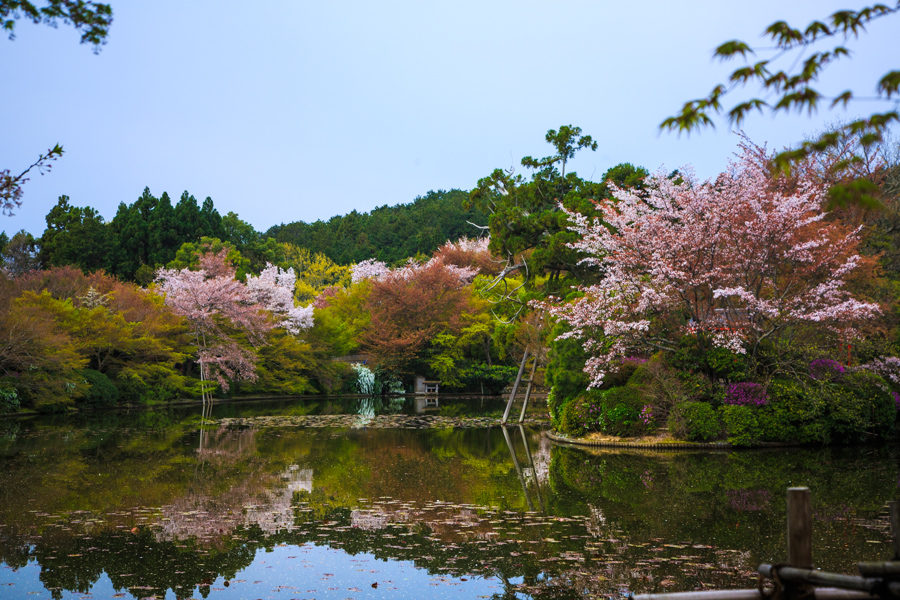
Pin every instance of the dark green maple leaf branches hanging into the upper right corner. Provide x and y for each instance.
(793, 90)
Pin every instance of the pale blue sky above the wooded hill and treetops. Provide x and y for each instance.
(293, 110)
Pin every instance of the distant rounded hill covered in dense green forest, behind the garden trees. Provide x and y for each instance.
(388, 233)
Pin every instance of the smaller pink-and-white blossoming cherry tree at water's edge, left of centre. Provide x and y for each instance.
(219, 308)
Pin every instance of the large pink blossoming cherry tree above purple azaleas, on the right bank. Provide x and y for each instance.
(734, 261)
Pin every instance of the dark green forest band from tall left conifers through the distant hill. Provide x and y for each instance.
(148, 233)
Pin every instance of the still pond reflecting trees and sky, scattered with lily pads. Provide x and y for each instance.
(362, 498)
